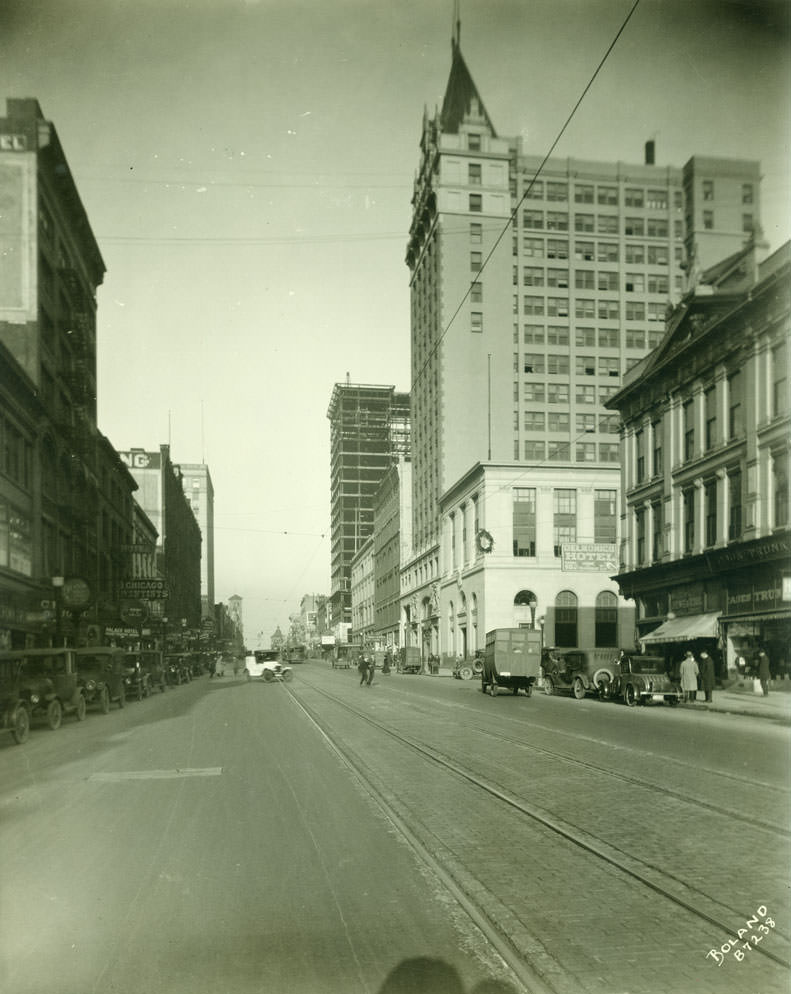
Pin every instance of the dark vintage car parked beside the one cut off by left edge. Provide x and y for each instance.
(48, 683)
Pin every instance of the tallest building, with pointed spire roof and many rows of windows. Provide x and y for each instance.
(533, 288)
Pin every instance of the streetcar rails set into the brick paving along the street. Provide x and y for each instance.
(699, 907)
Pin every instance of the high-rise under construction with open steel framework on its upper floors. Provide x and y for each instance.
(369, 430)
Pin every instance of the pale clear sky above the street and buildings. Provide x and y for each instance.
(247, 168)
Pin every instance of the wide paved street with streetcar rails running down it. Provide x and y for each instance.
(234, 837)
